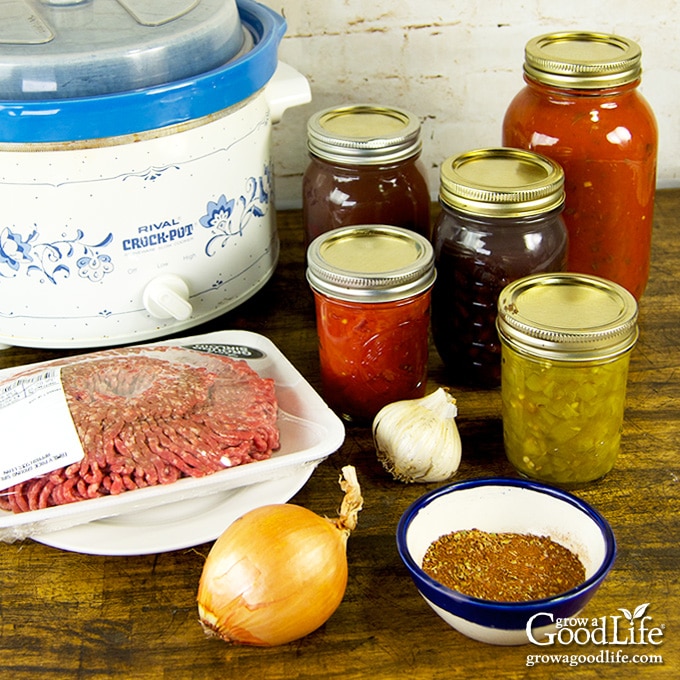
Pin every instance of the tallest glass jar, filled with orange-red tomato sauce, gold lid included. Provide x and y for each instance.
(581, 106)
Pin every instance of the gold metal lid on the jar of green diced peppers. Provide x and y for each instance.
(567, 317)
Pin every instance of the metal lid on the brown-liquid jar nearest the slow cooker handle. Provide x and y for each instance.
(364, 134)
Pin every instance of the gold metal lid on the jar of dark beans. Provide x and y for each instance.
(501, 182)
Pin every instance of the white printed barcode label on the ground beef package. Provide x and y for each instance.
(38, 433)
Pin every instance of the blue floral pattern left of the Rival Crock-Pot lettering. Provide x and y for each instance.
(53, 260)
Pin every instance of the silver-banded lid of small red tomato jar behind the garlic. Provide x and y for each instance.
(370, 263)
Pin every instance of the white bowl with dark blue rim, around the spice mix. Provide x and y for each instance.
(506, 505)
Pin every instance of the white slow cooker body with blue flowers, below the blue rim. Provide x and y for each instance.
(84, 230)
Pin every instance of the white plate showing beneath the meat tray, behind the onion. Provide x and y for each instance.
(176, 526)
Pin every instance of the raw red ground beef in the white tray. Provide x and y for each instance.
(151, 415)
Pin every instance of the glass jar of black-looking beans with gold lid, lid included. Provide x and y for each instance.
(500, 220)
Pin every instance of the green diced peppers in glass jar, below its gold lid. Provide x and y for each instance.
(562, 422)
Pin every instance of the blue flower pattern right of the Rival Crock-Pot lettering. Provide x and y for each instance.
(227, 218)
